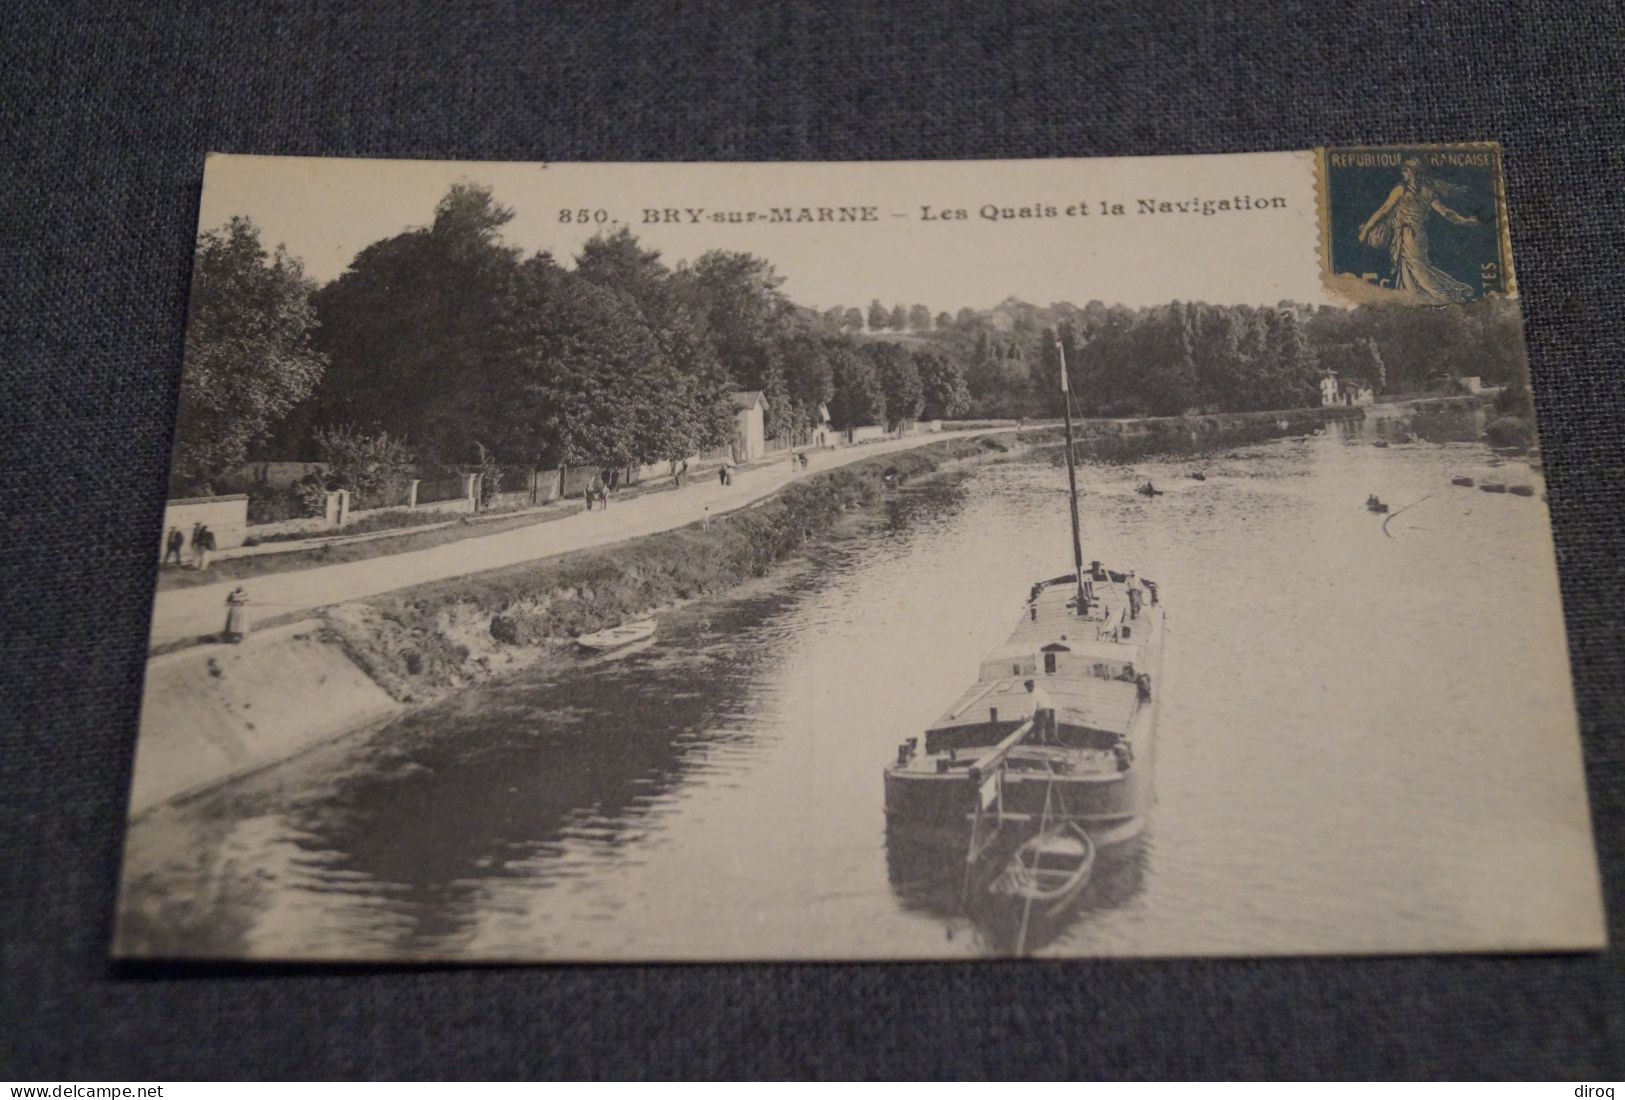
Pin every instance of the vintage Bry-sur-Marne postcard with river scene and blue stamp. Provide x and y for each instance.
(857, 561)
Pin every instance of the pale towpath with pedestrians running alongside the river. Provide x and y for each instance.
(191, 613)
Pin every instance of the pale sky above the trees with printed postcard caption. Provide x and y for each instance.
(898, 248)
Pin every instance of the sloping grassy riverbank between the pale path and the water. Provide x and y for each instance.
(217, 712)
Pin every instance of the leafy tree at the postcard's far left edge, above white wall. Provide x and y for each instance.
(248, 352)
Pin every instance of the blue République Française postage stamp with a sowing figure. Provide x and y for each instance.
(1419, 225)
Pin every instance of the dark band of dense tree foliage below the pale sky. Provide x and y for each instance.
(449, 342)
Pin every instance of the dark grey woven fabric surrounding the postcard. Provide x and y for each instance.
(106, 113)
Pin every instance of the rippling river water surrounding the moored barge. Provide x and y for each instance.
(1366, 743)
